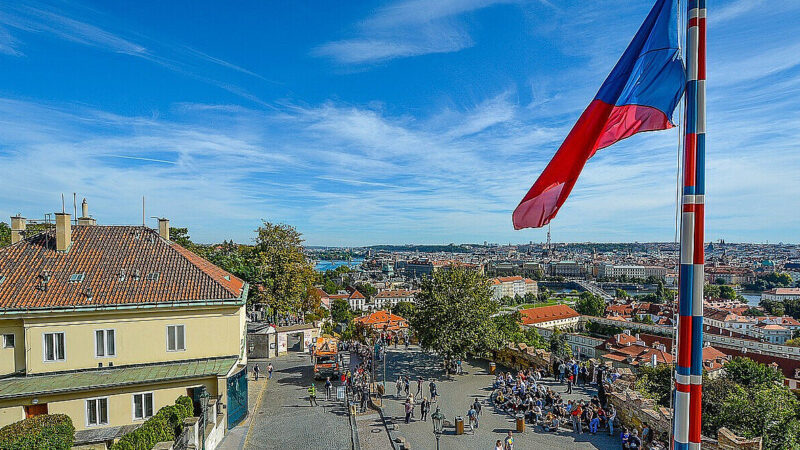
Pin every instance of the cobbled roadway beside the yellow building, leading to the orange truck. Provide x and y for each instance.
(284, 419)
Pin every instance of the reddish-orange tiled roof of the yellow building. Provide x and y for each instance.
(107, 266)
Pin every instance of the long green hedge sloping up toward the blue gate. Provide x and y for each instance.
(165, 425)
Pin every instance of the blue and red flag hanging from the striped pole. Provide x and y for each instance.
(639, 95)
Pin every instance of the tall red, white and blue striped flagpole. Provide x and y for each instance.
(688, 377)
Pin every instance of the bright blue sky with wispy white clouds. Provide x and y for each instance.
(405, 121)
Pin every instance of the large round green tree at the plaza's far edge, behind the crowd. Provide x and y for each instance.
(454, 311)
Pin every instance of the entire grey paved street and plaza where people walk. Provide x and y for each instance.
(284, 419)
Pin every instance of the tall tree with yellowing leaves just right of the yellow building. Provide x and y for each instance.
(286, 275)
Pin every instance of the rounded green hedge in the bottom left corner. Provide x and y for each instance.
(47, 431)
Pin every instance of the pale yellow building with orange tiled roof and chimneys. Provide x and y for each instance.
(108, 324)
